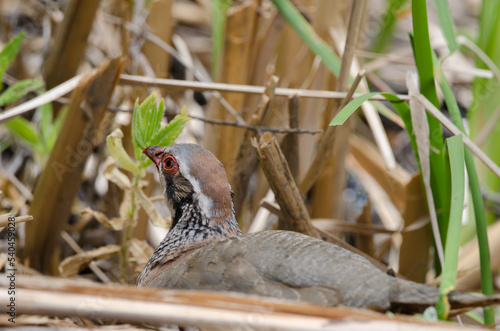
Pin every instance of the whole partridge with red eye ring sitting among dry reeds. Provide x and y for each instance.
(204, 249)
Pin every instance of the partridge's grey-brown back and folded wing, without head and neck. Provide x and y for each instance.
(286, 265)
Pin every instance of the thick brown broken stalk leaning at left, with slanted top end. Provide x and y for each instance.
(61, 178)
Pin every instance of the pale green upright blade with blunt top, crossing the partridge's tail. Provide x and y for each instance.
(449, 275)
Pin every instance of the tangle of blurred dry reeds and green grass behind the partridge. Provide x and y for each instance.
(370, 181)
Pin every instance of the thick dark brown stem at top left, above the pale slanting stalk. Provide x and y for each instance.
(71, 40)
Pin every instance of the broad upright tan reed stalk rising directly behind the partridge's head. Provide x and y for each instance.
(233, 68)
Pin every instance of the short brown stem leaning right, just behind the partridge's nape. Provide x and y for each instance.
(245, 160)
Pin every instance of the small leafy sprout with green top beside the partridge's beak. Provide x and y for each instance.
(147, 130)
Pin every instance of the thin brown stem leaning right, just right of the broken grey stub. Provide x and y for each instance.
(325, 149)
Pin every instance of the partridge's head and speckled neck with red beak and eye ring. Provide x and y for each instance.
(199, 199)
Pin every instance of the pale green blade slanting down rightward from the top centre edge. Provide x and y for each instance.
(307, 33)
